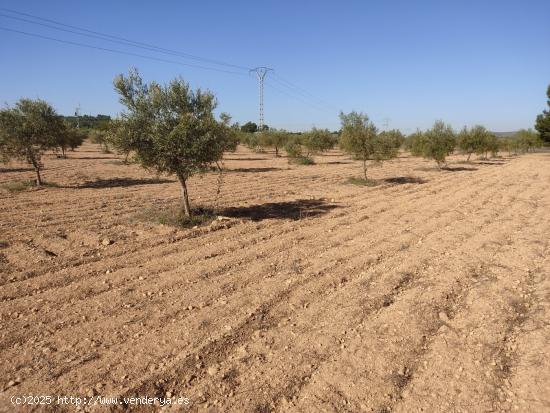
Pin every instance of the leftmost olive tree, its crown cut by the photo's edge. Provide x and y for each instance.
(27, 130)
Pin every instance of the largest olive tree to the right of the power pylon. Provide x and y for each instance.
(360, 138)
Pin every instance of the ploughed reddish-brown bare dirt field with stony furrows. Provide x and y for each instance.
(429, 292)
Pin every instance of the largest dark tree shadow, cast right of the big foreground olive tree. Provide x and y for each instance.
(295, 210)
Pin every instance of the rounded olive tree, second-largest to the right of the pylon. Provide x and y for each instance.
(435, 143)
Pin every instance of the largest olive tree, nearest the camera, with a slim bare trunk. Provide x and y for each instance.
(171, 128)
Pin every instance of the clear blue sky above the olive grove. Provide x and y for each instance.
(466, 62)
